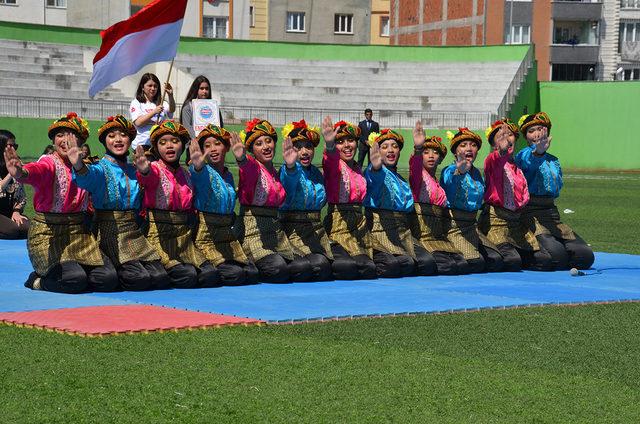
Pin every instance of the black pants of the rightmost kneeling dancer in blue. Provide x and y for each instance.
(566, 254)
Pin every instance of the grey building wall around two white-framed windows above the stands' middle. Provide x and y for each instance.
(319, 21)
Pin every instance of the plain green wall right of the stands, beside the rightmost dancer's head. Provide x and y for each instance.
(593, 123)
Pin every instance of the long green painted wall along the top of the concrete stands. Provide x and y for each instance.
(203, 46)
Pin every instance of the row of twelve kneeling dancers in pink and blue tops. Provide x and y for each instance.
(157, 224)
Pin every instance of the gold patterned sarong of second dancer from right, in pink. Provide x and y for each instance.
(501, 225)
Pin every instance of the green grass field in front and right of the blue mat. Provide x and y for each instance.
(554, 364)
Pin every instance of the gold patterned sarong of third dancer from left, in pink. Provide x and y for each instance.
(169, 233)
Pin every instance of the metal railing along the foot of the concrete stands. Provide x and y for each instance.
(49, 108)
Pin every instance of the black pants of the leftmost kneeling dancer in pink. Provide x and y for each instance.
(72, 277)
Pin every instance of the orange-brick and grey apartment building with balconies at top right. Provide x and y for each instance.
(574, 39)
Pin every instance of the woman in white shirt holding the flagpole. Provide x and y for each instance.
(146, 110)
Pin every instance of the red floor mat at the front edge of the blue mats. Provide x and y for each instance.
(105, 320)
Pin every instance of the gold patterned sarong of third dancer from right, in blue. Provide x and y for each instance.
(464, 234)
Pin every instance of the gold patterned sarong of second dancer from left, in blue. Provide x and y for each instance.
(121, 239)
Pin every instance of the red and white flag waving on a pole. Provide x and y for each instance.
(149, 36)
